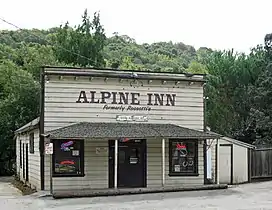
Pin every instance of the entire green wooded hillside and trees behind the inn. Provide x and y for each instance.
(239, 97)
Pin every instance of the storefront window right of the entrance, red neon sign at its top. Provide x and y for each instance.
(183, 157)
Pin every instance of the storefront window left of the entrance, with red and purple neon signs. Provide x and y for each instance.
(68, 158)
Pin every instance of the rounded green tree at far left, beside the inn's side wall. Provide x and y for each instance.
(19, 103)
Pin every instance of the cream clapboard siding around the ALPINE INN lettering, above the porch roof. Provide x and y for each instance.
(61, 108)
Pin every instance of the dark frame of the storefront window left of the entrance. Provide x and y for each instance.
(82, 161)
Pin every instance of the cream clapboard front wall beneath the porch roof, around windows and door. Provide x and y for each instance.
(96, 168)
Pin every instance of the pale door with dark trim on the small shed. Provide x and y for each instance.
(225, 164)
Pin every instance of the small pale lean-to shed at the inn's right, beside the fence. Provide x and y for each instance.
(234, 161)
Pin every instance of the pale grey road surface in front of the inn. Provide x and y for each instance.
(248, 196)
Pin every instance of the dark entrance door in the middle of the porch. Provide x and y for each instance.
(131, 164)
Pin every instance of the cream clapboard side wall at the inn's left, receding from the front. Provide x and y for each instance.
(33, 159)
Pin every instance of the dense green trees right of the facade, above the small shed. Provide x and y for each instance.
(231, 89)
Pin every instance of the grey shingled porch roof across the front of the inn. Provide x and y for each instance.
(129, 130)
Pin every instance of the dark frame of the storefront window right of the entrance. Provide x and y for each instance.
(171, 172)
